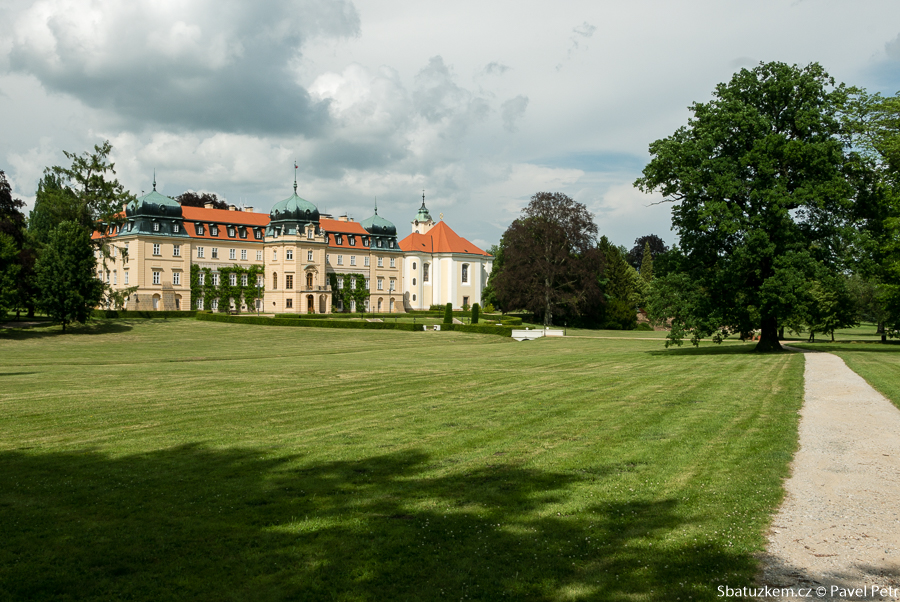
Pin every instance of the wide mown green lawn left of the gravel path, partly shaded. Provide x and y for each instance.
(164, 460)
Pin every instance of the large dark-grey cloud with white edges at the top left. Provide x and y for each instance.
(211, 65)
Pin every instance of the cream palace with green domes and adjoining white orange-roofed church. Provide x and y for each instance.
(293, 260)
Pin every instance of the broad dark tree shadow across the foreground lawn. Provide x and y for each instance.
(199, 524)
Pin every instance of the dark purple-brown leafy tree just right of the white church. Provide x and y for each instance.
(550, 260)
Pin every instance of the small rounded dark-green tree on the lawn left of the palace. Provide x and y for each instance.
(66, 275)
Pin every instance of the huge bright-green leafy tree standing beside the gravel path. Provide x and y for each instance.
(759, 178)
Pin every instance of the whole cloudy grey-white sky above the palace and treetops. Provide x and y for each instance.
(481, 104)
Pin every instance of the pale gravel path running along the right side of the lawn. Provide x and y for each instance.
(839, 526)
